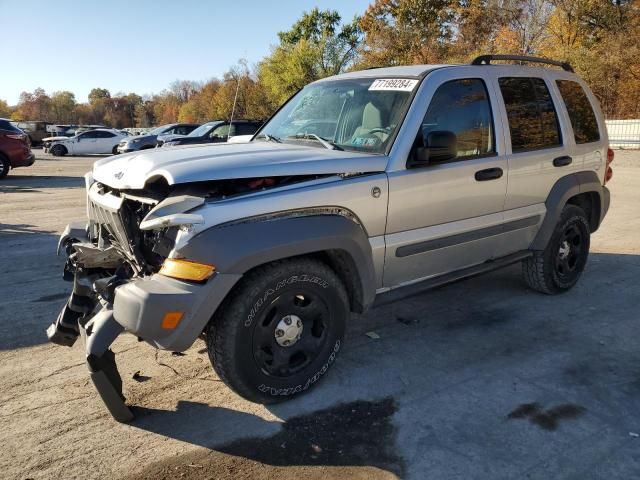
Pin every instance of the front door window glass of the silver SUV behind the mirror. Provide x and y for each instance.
(462, 107)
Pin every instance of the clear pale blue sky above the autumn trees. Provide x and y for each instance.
(138, 45)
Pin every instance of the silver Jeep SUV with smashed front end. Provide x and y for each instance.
(360, 184)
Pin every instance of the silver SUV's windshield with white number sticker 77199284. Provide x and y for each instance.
(351, 114)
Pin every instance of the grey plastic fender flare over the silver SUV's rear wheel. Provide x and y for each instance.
(565, 188)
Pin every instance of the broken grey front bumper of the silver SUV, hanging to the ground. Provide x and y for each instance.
(137, 306)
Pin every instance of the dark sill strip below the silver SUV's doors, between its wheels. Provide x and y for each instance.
(440, 280)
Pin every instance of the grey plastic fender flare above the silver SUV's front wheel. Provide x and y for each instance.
(237, 247)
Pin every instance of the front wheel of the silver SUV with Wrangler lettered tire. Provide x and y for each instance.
(241, 338)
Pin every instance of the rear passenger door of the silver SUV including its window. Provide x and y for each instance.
(537, 153)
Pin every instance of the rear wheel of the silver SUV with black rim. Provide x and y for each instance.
(558, 267)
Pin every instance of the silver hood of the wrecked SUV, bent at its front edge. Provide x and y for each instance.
(220, 161)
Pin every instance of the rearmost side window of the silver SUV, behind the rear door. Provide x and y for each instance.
(583, 119)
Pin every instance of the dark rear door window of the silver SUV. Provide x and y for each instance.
(533, 121)
